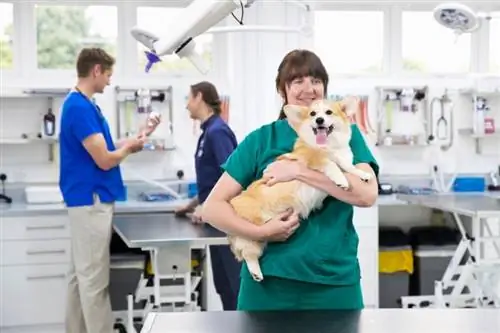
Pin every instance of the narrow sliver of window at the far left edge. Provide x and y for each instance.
(6, 29)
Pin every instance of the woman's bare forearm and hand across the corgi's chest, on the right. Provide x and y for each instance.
(359, 194)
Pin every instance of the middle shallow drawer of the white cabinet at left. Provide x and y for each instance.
(34, 252)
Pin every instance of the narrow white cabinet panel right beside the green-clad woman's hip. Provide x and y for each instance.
(366, 224)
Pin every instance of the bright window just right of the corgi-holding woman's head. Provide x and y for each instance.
(350, 41)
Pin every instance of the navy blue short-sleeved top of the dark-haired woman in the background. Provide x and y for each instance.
(215, 145)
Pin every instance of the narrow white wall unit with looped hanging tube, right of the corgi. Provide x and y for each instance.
(442, 131)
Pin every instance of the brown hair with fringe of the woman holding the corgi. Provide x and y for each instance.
(297, 64)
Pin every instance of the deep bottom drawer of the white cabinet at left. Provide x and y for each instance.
(33, 295)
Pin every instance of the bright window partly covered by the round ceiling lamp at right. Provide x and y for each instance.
(428, 47)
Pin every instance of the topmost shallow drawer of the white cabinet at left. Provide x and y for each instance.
(34, 227)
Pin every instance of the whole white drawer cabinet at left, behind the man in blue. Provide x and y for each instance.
(34, 261)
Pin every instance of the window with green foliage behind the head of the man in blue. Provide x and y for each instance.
(62, 31)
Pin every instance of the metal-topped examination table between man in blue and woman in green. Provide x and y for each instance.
(169, 240)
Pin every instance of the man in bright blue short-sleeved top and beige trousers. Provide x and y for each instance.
(90, 181)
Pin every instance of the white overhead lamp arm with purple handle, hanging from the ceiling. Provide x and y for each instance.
(197, 18)
